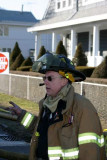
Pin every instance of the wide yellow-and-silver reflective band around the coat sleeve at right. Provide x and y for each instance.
(91, 137)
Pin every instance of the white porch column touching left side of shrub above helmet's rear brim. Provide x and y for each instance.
(73, 43)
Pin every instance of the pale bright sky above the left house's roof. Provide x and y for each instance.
(37, 7)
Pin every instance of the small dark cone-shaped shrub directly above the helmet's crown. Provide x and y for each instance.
(61, 49)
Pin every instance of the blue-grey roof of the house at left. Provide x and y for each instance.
(17, 16)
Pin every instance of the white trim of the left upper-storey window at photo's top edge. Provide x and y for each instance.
(61, 8)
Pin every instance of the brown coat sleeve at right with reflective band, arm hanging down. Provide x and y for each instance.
(90, 137)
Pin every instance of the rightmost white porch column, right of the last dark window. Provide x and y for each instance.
(95, 43)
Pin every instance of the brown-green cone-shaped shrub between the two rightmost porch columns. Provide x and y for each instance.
(80, 59)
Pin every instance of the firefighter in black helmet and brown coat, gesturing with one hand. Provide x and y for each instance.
(68, 126)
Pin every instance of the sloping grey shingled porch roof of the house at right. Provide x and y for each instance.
(53, 17)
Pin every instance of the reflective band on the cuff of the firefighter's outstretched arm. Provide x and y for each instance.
(27, 119)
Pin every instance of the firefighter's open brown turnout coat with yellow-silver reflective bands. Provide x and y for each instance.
(78, 136)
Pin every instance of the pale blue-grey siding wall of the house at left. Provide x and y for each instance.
(18, 34)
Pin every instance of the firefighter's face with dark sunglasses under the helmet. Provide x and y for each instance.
(54, 82)
